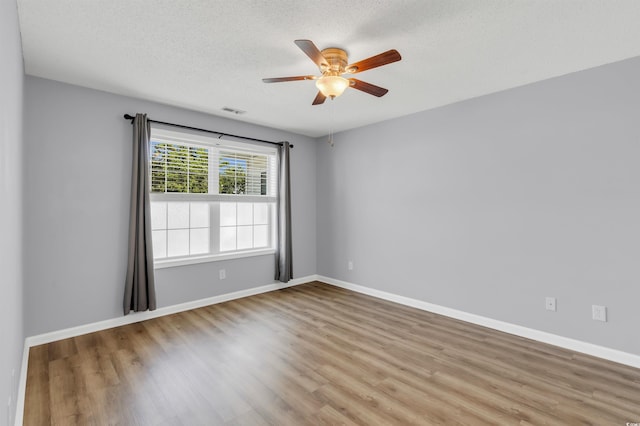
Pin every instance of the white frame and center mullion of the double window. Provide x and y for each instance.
(216, 145)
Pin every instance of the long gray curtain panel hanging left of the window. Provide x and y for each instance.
(139, 290)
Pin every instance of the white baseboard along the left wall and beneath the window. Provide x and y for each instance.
(130, 319)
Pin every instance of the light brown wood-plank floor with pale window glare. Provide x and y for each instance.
(319, 355)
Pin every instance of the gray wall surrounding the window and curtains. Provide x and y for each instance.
(77, 179)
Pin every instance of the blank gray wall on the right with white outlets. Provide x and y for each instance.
(489, 205)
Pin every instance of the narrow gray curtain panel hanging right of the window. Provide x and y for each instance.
(284, 265)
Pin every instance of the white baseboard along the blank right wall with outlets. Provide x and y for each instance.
(529, 333)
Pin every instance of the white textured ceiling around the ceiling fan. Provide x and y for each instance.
(205, 54)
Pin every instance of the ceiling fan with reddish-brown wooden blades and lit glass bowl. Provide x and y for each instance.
(332, 63)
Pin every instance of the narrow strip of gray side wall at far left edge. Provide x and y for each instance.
(11, 189)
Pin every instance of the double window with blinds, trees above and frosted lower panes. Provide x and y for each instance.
(210, 198)
